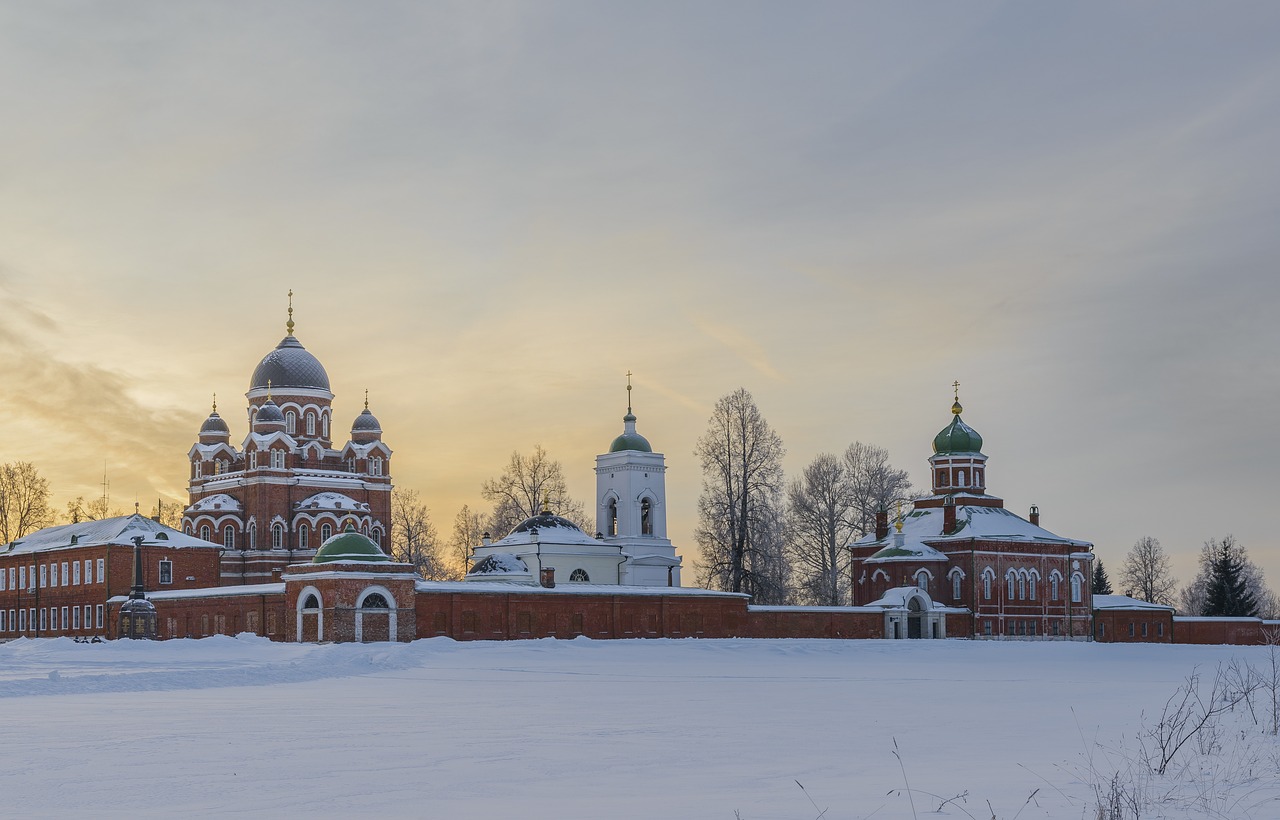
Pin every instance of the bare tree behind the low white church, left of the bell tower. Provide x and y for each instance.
(524, 485)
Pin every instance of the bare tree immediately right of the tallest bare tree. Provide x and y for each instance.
(821, 523)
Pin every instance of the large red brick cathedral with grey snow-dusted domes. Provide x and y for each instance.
(287, 488)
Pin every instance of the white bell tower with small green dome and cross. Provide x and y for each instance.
(632, 506)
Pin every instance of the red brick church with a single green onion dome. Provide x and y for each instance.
(964, 549)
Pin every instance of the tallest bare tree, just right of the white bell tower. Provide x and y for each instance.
(740, 509)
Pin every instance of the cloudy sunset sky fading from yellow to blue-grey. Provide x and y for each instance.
(491, 212)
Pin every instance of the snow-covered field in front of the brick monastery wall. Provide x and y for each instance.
(606, 730)
